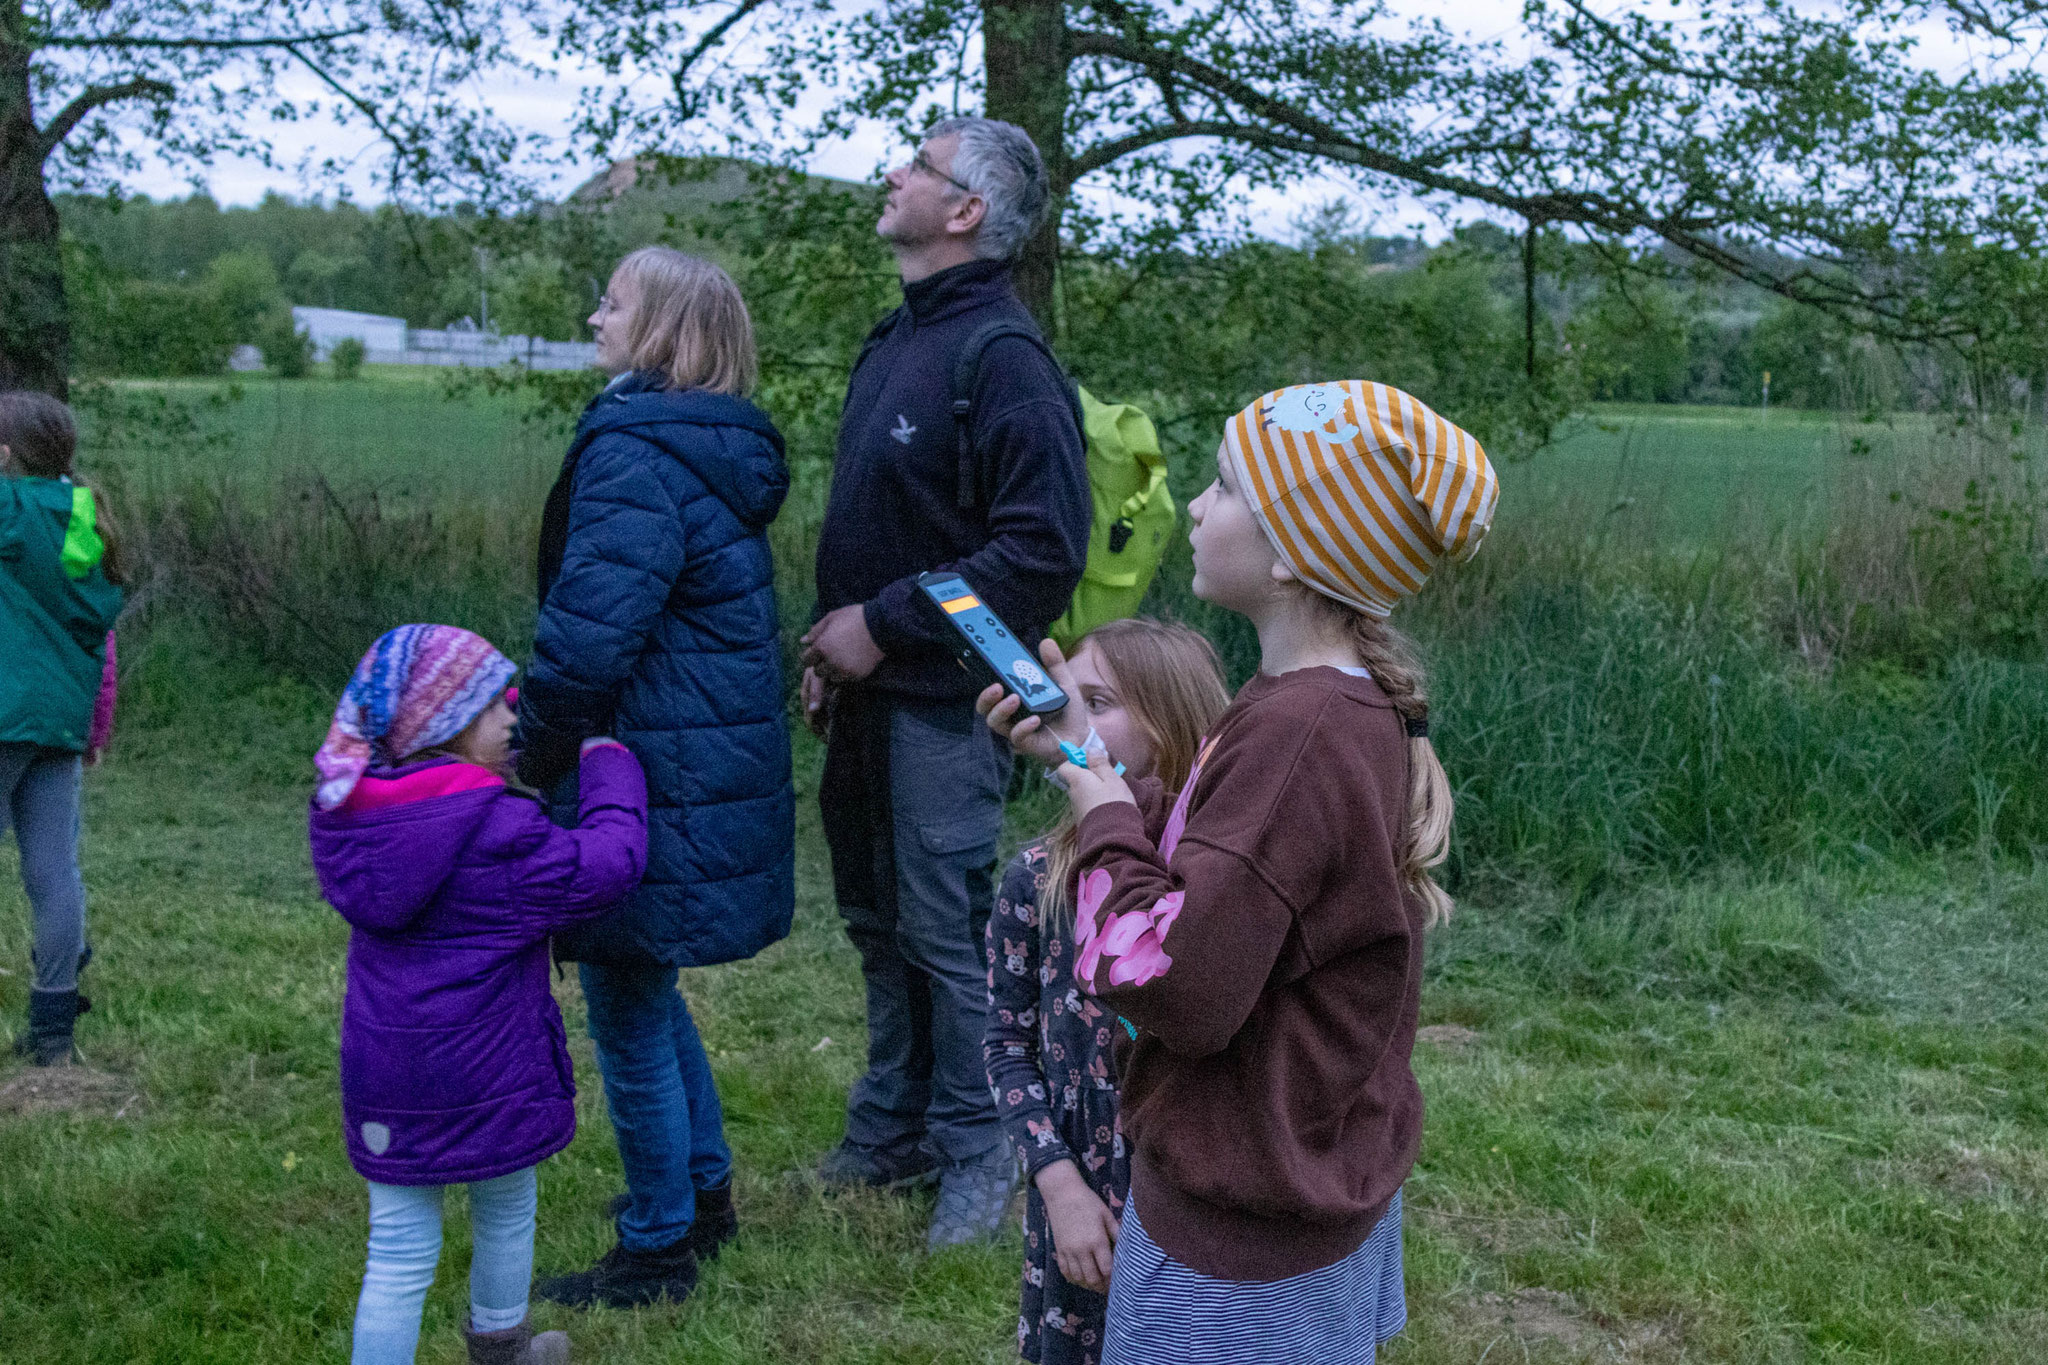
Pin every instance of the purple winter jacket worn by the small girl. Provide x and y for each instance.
(454, 1059)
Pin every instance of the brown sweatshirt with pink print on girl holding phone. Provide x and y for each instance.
(1273, 973)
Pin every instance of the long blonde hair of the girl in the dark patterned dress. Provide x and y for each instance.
(1172, 682)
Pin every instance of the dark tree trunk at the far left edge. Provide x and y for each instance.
(36, 335)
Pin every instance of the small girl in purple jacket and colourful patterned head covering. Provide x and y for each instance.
(456, 1069)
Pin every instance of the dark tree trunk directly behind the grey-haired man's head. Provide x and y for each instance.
(1027, 64)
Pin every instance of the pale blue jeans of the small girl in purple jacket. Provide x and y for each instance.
(407, 1247)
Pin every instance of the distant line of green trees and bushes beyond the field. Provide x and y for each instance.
(169, 288)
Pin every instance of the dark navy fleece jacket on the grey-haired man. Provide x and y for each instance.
(894, 509)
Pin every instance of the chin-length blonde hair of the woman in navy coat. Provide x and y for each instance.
(691, 322)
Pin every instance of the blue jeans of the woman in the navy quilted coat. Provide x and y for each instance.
(663, 1098)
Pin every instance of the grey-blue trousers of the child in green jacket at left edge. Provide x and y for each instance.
(40, 799)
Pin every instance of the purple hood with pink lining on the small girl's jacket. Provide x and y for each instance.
(390, 848)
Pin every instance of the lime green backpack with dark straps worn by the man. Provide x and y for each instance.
(1125, 480)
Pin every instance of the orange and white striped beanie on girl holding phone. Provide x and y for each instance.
(1361, 488)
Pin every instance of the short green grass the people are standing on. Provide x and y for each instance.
(1803, 1127)
